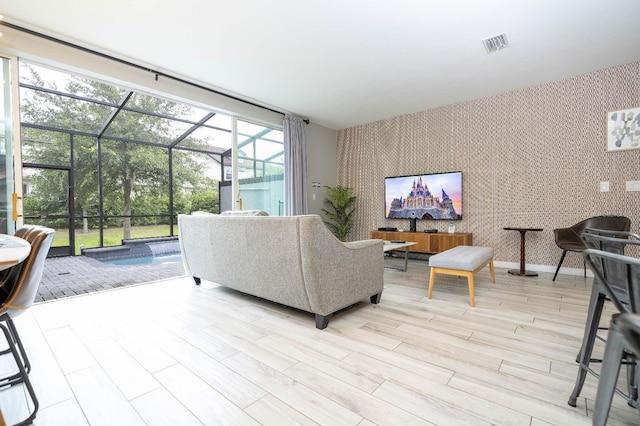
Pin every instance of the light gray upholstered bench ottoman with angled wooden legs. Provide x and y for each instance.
(464, 261)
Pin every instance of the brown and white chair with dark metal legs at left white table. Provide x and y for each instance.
(17, 293)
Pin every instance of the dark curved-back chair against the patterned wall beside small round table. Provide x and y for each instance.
(568, 239)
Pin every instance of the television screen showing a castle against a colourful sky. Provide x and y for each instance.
(437, 196)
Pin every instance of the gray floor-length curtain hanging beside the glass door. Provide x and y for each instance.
(295, 161)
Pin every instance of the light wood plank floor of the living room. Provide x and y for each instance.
(174, 353)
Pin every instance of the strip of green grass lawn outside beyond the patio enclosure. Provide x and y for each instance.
(112, 236)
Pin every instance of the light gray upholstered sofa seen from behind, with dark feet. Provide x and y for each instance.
(293, 260)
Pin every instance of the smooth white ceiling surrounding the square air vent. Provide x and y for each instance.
(343, 63)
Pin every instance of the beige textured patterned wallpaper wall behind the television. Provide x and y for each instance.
(530, 158)
